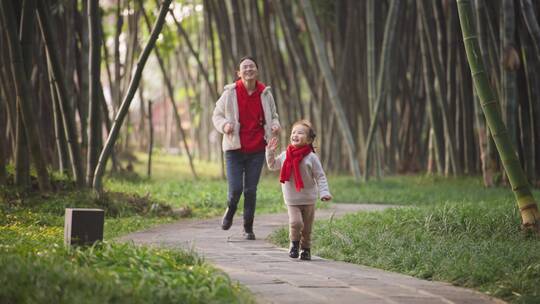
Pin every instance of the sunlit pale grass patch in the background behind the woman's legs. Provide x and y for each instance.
(173, 184)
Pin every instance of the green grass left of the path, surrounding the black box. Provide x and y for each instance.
(37, 268)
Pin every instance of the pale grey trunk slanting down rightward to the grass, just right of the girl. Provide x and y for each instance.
(337, 105)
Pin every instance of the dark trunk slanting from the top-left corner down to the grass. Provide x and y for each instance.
(24, 96)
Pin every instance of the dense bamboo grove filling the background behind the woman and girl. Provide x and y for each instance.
(386, 83)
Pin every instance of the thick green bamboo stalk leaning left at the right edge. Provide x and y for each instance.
(525, 200)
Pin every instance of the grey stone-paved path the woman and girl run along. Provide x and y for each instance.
(275, 278)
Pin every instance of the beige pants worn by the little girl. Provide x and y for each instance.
(300, 223)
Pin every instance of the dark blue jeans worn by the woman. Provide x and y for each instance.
(243, 173)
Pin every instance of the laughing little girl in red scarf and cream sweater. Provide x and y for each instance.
(302, 179)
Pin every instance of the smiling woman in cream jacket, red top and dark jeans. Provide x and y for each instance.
(246, 116)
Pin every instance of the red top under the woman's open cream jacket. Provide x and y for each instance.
(251, 118)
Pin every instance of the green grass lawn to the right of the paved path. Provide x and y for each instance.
(450, 230)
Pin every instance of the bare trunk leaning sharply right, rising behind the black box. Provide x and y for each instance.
(124, 107)
